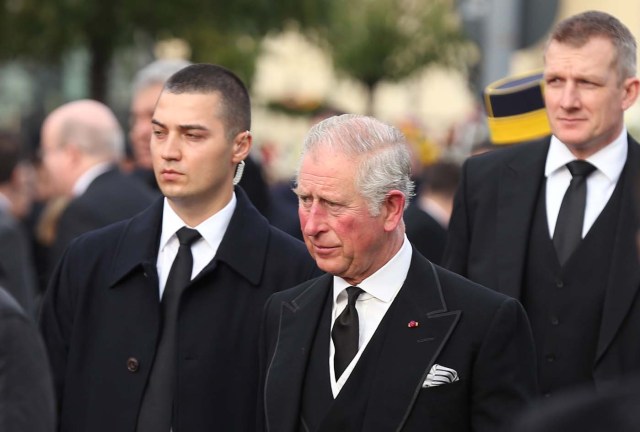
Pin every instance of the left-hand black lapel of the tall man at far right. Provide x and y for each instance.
(518, 190)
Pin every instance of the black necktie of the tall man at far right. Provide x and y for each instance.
(568, 232)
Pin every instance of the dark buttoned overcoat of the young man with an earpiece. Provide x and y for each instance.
(101, 322)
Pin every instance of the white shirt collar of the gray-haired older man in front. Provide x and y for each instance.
(385, 283)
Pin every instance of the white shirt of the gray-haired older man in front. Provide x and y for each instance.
(379, 291)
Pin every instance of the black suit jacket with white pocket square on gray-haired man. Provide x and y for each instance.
(483, 335)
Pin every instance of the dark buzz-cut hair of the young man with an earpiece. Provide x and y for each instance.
(208, 78)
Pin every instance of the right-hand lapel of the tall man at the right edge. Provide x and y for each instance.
(624, 277)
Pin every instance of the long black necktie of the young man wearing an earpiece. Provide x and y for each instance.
(157, 404)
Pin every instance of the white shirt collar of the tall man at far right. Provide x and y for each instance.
(609, 160)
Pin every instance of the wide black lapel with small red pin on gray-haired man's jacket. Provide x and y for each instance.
(408, 353)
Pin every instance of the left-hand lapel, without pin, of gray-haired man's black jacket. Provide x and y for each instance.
(298, 321)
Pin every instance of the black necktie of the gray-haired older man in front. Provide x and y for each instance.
(346, 332)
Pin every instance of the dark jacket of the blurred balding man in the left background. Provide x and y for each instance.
(111, 197)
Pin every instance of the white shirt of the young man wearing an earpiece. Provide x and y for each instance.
(203, 250)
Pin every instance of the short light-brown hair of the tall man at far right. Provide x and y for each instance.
(579, 29)
